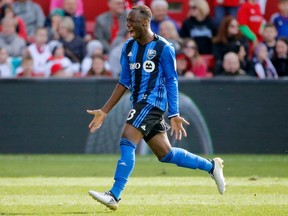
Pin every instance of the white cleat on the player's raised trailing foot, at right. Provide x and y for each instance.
(217, 175)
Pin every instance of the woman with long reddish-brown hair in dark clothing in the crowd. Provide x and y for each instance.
(228, 35)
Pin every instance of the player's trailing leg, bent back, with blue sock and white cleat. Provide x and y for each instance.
(161, 147)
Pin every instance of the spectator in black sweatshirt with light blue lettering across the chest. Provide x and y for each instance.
(199, 26)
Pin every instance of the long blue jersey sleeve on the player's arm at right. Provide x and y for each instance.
(168, 63)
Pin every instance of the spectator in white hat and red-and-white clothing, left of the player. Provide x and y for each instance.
(58, 57)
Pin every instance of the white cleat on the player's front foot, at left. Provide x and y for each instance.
(105, 198)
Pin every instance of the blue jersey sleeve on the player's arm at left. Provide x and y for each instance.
(125, 75)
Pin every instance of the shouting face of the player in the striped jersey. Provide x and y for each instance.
(135, 25)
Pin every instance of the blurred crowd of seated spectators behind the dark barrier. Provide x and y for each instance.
(235, 41)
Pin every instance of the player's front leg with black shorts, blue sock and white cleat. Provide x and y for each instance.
(137, 124)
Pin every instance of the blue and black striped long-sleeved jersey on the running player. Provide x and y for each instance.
(149, 71)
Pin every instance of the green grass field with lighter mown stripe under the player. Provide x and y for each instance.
(58, 185)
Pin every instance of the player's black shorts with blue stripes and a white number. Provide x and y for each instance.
(147, 119)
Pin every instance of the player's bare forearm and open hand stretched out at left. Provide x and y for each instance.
(100, 114)
